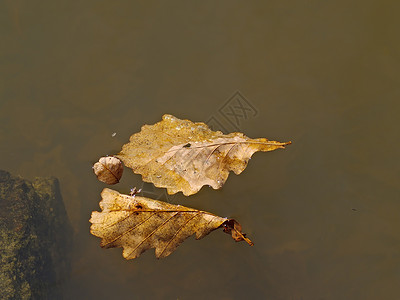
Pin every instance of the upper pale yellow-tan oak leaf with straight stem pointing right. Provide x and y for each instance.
(183, 156)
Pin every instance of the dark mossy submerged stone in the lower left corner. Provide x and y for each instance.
(35, 238)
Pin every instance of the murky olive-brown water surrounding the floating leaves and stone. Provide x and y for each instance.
(324, 213)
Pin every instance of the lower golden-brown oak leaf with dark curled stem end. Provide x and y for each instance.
(138, 223)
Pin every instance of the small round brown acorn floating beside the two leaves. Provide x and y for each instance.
(108, 169)
